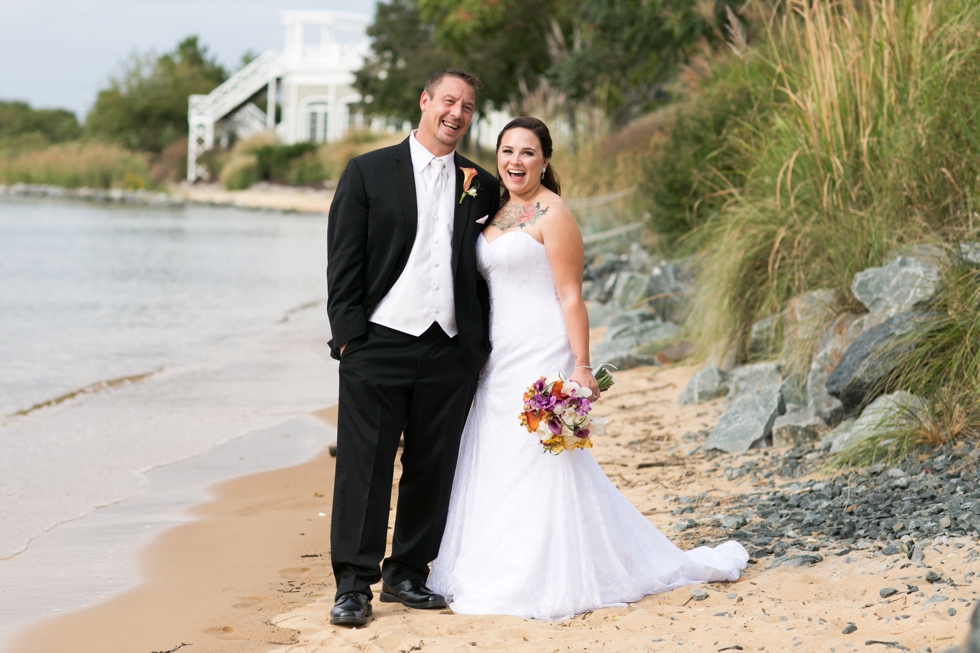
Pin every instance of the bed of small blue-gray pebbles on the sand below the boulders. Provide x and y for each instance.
(860, 509)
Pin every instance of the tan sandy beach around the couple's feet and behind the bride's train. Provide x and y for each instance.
(253, 574)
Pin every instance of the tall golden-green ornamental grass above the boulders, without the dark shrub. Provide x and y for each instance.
(862, 135)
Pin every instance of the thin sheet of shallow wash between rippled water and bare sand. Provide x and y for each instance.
(98, 558)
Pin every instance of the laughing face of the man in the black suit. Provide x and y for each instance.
(446, 115)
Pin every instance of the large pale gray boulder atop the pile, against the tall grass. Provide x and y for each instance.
(901, 285)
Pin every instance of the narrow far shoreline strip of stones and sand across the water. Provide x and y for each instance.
(267, 197)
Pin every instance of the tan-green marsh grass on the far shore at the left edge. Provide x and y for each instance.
(78, 165)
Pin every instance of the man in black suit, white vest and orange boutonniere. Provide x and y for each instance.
(408, 314)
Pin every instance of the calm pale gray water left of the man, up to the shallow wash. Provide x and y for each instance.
(223, 307)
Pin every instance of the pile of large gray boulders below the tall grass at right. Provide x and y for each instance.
(854, 354)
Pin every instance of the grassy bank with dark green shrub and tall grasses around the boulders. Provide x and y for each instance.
(847, 130)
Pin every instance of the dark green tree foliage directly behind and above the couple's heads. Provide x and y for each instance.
(615, 54)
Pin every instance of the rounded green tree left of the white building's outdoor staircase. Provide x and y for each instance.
(145, 106)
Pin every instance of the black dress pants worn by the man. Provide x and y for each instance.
(393, 383)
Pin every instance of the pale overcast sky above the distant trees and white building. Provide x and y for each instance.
(59, 53)
